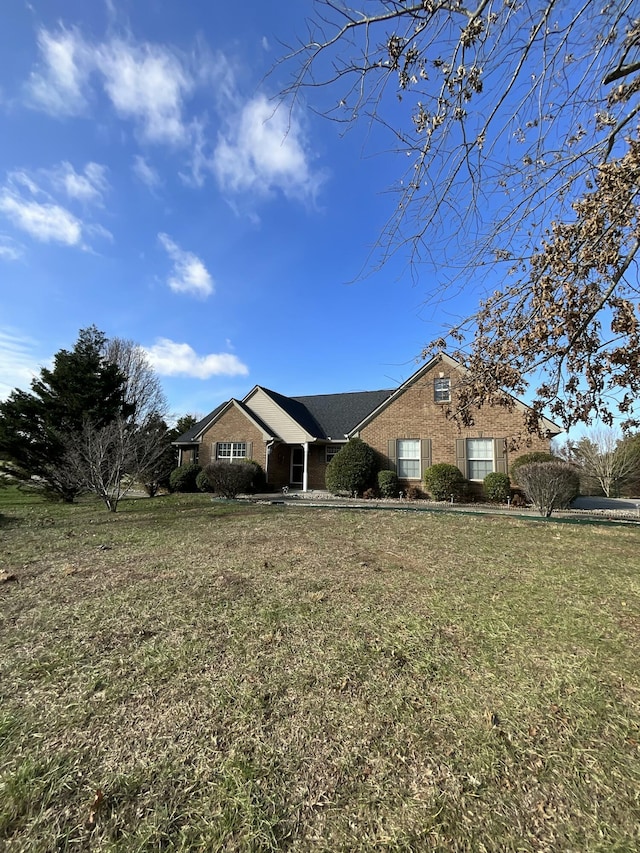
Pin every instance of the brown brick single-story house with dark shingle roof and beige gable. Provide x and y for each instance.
(294, 438)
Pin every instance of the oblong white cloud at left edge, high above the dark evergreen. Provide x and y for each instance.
(46, 222)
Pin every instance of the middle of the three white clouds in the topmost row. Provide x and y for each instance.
(148, 84)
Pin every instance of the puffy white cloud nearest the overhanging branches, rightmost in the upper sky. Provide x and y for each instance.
(263, 150)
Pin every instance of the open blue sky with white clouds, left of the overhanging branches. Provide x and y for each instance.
(149, 186)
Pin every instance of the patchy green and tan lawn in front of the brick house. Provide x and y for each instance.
(255, 678)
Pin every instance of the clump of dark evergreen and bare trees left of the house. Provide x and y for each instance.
(95, 422)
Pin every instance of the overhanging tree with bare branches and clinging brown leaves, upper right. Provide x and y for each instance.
(520, 122)
